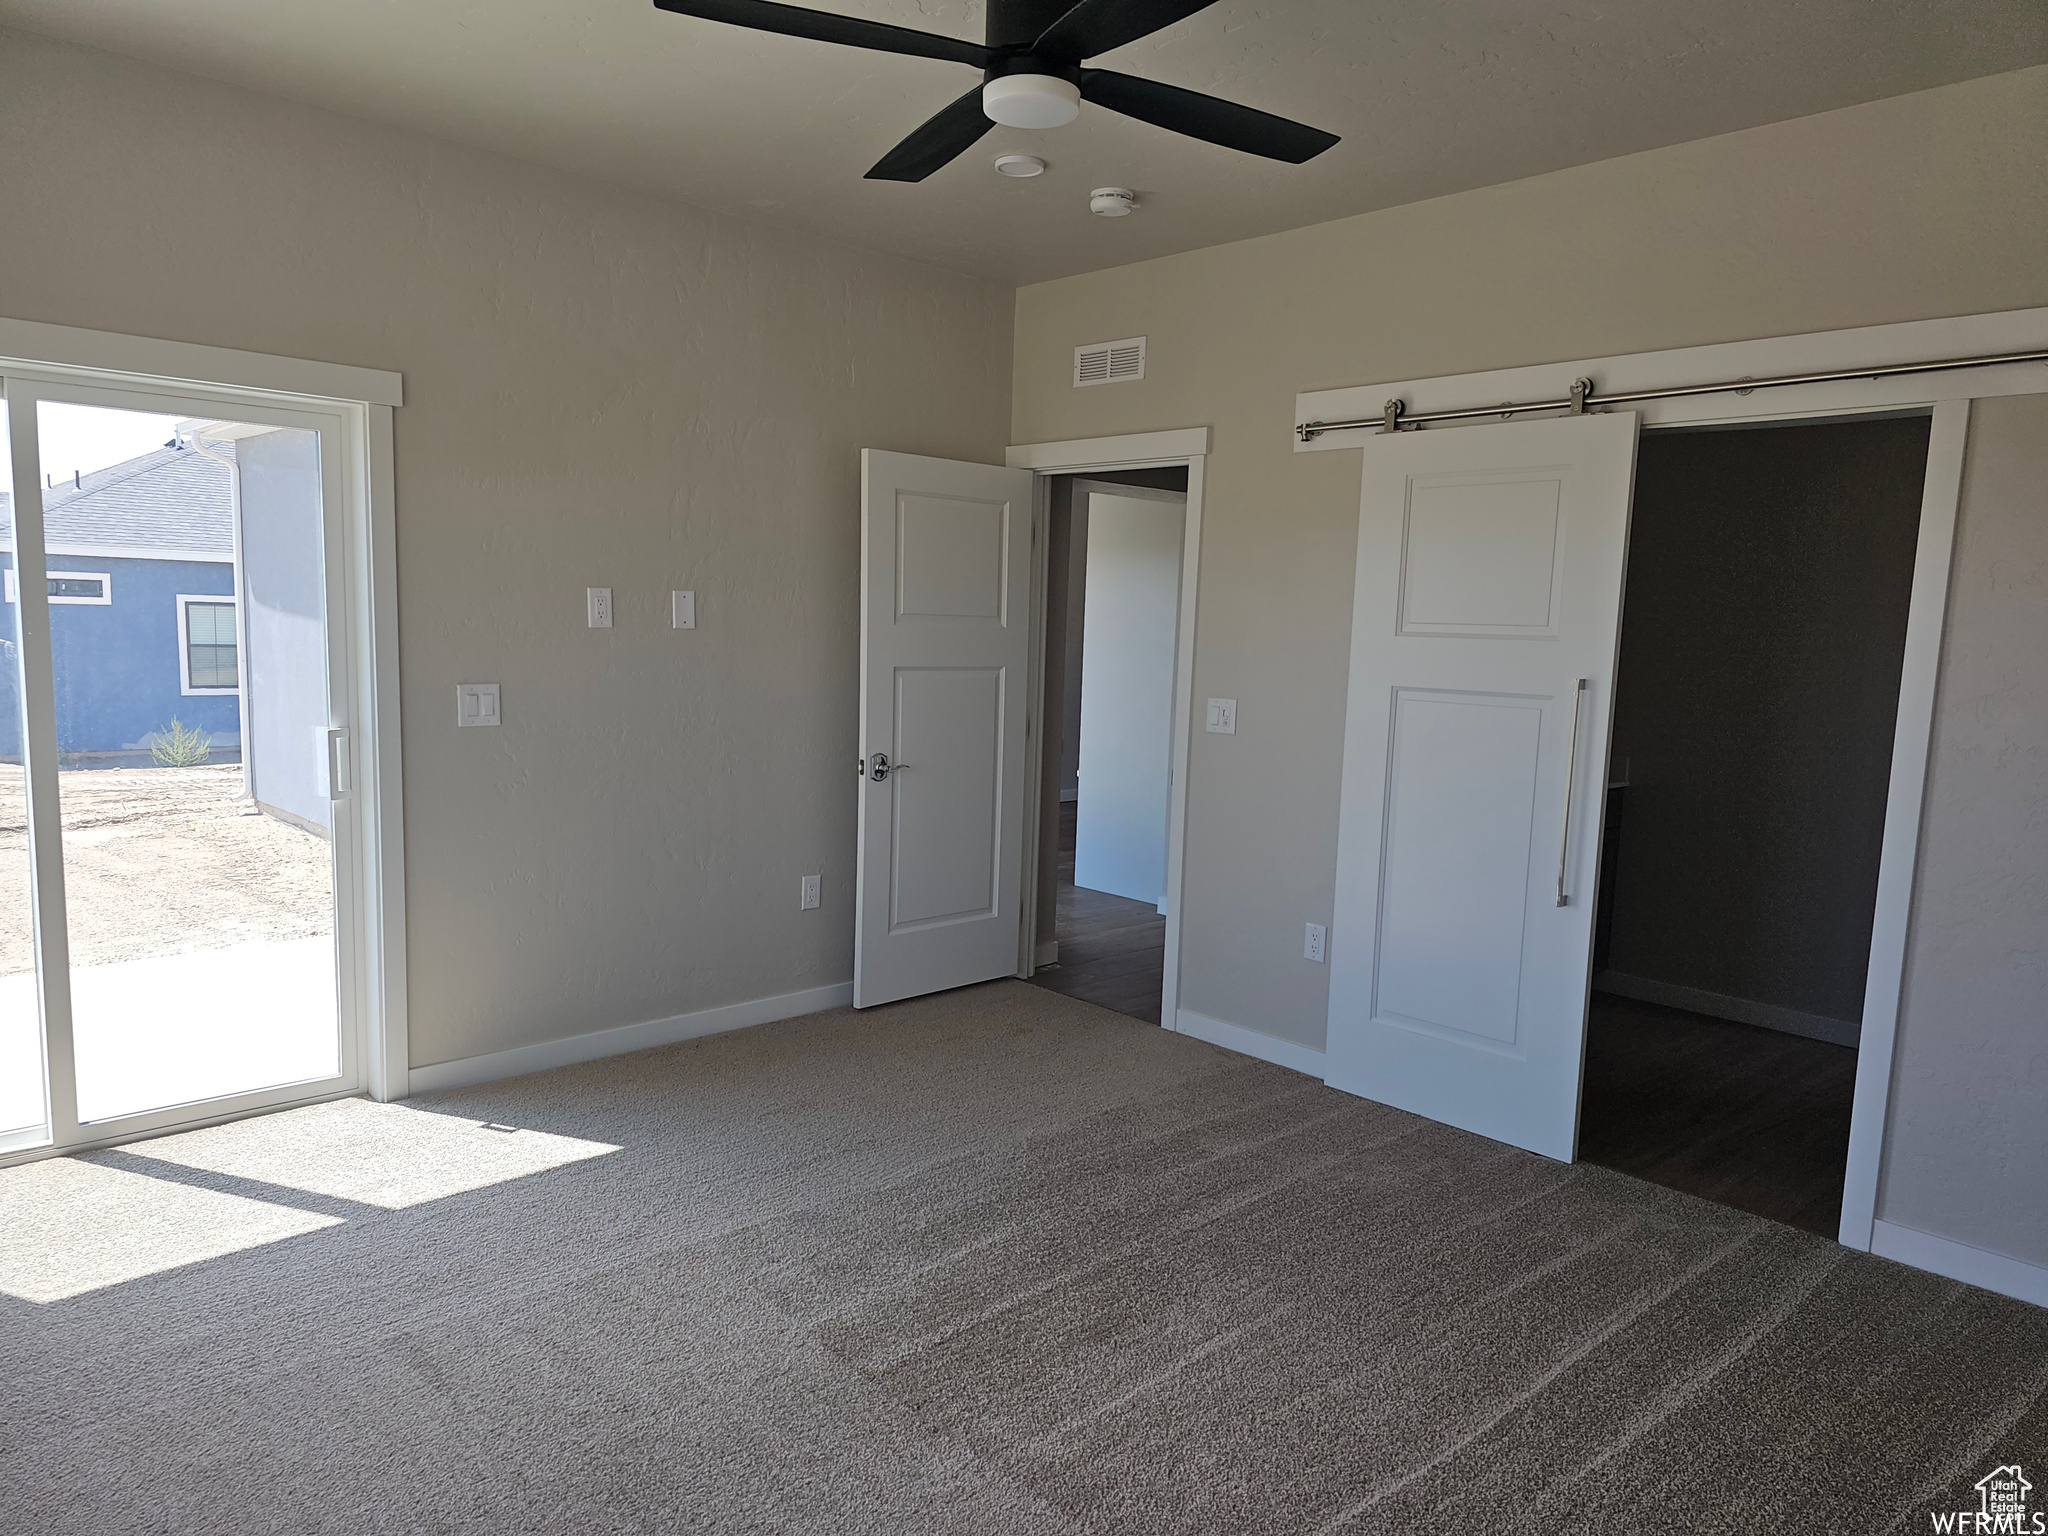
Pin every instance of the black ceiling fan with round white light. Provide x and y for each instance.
(1033, 77)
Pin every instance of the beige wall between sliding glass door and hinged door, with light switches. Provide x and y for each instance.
(601, 390)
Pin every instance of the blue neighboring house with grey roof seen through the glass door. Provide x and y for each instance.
(142, 591)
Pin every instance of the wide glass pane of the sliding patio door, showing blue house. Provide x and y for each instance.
(189, 663)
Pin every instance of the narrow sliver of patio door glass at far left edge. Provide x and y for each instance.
(24, 1101)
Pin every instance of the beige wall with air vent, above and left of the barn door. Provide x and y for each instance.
(1904, 210)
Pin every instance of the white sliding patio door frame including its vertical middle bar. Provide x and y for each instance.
(353, 411)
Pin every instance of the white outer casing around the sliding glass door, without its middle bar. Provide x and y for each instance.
(357, 407)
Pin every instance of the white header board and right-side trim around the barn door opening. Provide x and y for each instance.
(1947, 398)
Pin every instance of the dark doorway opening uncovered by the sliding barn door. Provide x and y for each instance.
(1764, 630)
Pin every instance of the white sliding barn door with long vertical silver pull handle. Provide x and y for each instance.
(1484, 642)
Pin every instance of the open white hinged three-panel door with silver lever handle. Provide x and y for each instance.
(945, 660)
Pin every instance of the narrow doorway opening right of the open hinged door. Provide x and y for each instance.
(1115, 554)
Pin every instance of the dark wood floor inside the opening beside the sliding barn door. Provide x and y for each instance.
(1748, 1117)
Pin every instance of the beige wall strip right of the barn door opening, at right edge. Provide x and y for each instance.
(1967, 1146)
